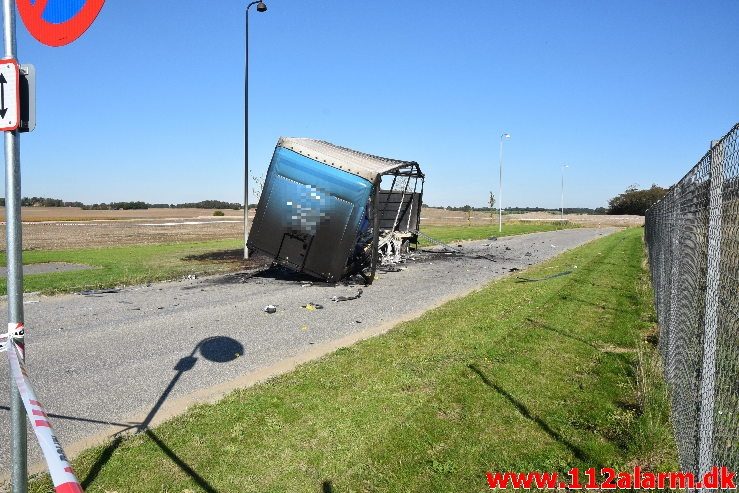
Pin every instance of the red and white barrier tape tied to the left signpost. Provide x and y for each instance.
(60, 469)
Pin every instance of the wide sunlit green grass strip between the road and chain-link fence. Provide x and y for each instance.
(517, 376)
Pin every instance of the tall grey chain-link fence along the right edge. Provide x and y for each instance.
(692, 237)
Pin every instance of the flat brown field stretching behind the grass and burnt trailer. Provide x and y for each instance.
(70, 227)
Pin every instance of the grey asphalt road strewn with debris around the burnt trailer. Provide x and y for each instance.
(112, 361)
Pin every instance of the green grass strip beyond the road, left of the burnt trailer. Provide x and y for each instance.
(125, 265)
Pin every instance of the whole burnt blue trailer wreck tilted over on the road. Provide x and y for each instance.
(323, 210)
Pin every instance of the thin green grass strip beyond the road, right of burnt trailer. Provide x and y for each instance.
(449, 234)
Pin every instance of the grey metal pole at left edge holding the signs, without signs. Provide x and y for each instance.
(19, 470)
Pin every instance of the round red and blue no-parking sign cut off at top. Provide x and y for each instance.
(63, 23)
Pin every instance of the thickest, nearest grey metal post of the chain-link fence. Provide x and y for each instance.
(713, 271)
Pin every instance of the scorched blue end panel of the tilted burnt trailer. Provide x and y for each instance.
(309, 214)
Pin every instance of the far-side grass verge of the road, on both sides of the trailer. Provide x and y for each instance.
(138, 264)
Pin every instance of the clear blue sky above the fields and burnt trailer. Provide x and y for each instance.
(148, 104)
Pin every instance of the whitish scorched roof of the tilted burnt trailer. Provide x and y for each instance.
(357, 163)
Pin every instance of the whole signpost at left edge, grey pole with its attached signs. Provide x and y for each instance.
(53, 23)
